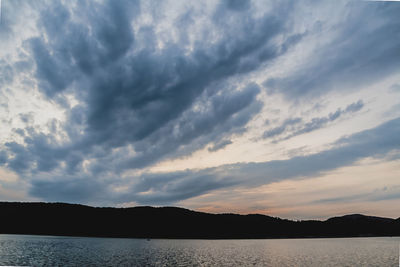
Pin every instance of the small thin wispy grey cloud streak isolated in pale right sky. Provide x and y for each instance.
(292, 126)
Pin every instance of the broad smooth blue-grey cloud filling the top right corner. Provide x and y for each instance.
(365, 49)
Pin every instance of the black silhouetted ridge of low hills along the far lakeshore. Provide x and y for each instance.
(170, 222)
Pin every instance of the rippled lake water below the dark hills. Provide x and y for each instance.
(81, 251)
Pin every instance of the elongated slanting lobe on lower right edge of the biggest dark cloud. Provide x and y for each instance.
(224, 115)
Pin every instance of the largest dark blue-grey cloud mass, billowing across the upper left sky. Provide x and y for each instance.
(140, 103)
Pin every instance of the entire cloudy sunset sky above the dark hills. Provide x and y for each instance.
(284, 108)
